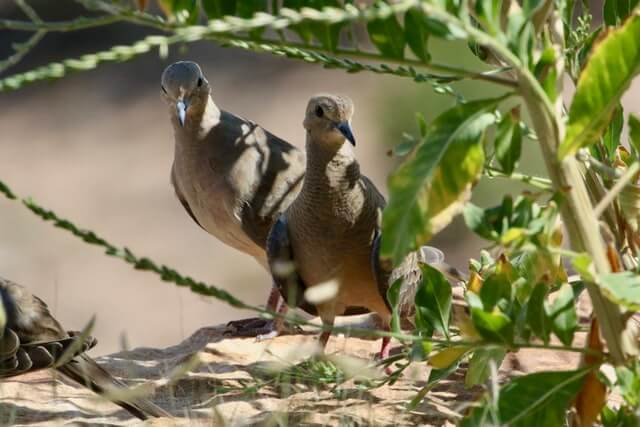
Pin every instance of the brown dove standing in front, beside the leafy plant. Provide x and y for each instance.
(329, 235)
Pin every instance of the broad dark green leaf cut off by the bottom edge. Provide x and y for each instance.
(540, 399)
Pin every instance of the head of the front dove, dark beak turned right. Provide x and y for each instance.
(328, 119)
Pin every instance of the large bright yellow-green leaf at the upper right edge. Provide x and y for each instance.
(615, 61)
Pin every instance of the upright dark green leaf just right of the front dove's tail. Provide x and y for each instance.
(433, 301)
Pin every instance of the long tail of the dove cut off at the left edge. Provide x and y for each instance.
(85, 371)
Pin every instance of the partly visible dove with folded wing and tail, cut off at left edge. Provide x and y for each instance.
(32, 339)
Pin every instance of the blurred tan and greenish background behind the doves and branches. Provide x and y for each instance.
(96, 147)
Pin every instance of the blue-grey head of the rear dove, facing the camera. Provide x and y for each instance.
(185, 89)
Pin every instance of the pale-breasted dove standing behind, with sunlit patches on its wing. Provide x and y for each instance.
(232, 177)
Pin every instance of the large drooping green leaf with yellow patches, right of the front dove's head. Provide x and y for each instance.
(428, 188)
